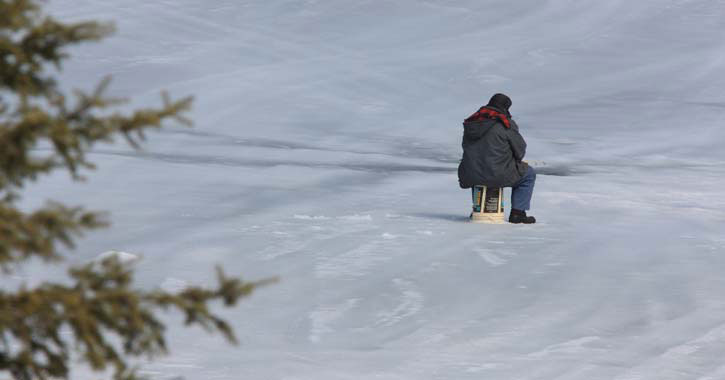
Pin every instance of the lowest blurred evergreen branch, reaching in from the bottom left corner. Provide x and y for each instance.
(100, 308)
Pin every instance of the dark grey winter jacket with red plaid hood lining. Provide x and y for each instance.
(492, 150)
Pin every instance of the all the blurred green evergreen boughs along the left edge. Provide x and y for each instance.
(100, 317)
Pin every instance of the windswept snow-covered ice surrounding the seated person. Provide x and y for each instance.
(324, 151)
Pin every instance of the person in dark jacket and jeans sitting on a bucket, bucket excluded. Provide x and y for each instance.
(493, 153)
